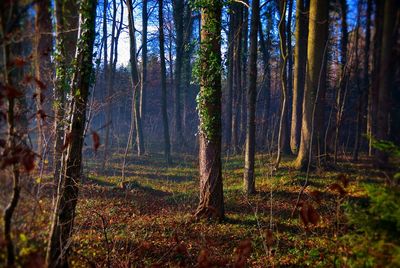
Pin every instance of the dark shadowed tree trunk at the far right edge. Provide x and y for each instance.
(386, 75)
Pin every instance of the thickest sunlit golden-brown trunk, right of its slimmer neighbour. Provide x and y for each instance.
(317, 42)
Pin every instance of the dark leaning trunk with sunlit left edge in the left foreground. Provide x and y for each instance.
(67, 194)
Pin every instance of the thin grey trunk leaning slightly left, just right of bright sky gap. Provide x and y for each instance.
(135, 80)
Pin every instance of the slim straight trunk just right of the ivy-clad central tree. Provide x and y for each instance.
(249, 180)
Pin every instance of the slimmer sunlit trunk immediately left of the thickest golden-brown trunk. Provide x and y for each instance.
(300, 57)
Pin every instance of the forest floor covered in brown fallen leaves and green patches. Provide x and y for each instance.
(147, 220)
